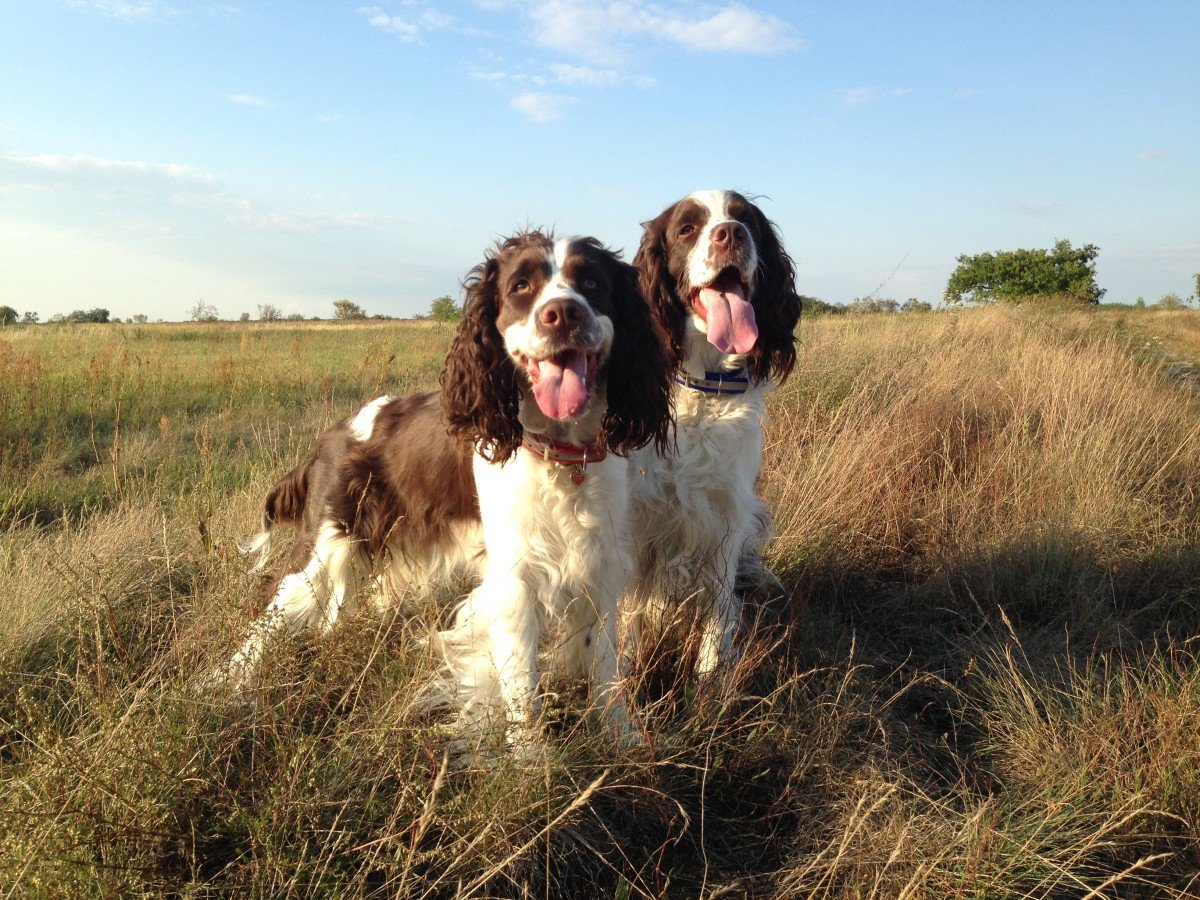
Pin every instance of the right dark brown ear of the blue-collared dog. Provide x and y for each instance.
(777, 307)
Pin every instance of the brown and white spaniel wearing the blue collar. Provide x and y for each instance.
(723, 290)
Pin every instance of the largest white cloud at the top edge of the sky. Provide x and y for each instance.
(602, 32)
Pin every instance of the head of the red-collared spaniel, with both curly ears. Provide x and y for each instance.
(560, 325)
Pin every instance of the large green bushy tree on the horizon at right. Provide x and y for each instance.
(1019, 275)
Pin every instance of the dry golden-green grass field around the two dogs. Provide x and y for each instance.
(983, 682)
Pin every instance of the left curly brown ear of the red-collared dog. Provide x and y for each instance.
(479, 383)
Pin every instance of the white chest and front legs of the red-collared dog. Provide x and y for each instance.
(557, 565)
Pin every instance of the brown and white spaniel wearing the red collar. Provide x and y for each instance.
(517, 470)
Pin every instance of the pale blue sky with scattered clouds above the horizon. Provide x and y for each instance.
(158, 153)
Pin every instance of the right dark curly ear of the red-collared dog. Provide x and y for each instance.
(639, 371)
